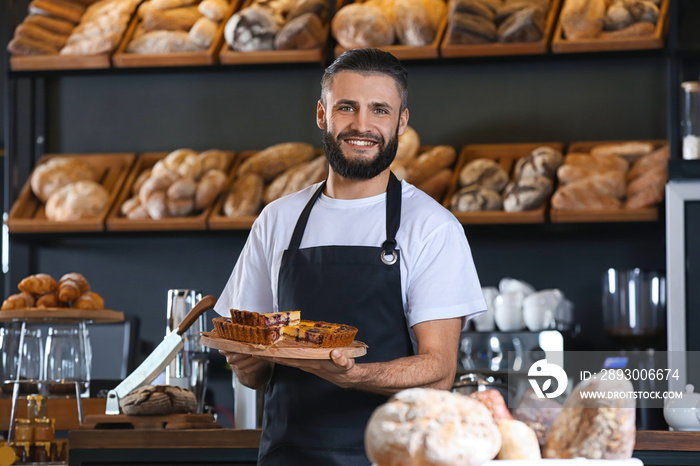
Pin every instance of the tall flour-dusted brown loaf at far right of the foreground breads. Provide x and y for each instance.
(593, 426)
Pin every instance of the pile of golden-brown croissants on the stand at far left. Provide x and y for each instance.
(42, 291)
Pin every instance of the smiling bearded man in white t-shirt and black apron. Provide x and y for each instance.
(362, 249)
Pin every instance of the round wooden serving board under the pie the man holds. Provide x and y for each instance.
(283, 349)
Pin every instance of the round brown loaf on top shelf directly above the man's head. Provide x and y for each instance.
(362, 25)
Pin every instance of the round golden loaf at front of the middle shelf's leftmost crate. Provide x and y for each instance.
(82, 199)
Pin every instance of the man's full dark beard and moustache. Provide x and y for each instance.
(361, 169)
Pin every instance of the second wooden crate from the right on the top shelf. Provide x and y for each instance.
(448, 50)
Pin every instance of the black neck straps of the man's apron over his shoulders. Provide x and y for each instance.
(393, 215)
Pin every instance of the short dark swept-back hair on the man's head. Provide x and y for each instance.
(368, 61)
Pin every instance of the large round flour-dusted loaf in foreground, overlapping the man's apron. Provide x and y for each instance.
(427, 427)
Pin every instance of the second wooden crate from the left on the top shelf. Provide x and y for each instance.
(122, 59)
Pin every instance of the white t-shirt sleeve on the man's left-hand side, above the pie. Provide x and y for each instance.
(249, 286)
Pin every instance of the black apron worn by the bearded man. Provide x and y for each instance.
(308, 420)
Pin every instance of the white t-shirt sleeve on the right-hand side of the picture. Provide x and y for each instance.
(444, 283)
